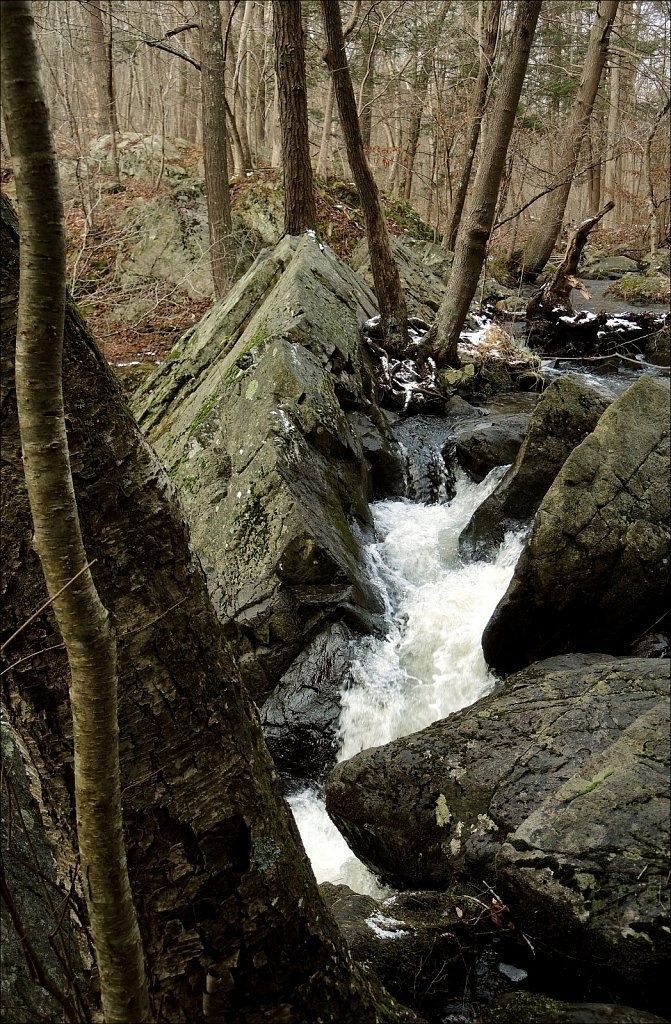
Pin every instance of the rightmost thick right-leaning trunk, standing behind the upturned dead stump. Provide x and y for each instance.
(542, 243)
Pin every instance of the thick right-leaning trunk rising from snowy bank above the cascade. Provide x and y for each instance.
(473, 239)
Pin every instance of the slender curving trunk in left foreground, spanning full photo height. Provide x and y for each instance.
(83, 622)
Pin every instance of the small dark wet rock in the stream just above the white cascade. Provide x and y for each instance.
(494, 441)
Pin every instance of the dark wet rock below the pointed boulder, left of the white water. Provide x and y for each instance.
(301, 717)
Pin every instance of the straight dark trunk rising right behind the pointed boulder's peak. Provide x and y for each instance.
(300, 208)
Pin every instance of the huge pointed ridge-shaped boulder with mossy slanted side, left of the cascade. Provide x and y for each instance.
(247, 415)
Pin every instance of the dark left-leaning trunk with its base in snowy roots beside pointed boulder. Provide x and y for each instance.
(389, 290)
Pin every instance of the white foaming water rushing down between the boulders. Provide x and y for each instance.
(430, 665)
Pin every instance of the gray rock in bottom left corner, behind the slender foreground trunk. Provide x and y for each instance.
(31, 879)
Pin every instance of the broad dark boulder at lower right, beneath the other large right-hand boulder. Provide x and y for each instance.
(555, 789)
